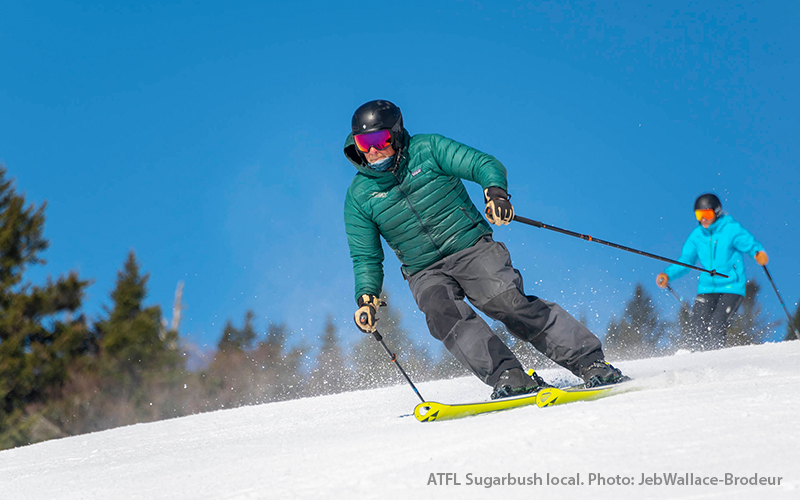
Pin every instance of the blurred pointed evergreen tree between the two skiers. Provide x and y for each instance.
(638, 333)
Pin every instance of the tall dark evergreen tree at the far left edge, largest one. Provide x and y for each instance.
(39, 339)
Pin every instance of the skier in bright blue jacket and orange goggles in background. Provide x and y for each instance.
(719, 242)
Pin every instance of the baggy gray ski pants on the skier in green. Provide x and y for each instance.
(483, 274)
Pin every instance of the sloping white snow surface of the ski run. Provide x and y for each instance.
(708, 414)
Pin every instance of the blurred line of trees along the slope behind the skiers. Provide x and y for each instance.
(62, 374)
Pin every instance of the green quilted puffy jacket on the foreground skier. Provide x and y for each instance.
(421, 208)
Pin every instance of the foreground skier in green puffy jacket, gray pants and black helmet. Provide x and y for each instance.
(409, 191)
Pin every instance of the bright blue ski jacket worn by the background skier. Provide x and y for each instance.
(721, 247)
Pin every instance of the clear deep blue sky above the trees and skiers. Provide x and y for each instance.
(206, 136)
